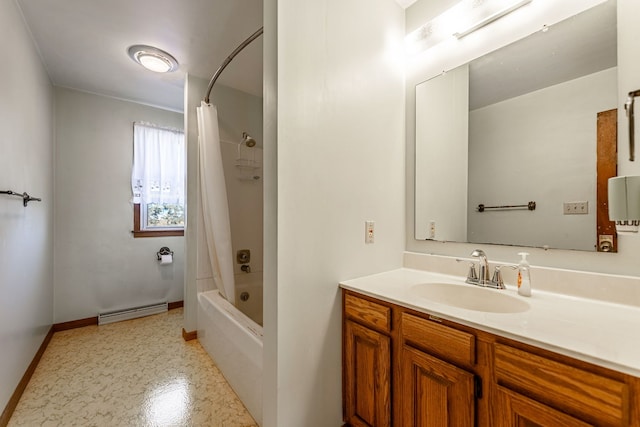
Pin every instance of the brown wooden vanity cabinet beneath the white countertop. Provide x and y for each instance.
(407, 368)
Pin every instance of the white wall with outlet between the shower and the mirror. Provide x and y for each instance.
(340, 161)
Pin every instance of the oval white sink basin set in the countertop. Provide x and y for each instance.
(470, 297)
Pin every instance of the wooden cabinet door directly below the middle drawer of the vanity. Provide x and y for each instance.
(435, 393)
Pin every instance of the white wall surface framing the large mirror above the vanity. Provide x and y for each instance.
(503, 32)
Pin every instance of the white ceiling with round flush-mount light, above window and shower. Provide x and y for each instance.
(83, 44)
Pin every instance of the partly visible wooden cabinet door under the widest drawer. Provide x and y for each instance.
(516, 410)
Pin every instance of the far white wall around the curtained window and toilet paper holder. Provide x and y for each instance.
(99, 266)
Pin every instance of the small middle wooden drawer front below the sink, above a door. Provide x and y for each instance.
(451, 344)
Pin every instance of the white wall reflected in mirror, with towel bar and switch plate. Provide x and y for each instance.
(538, 147)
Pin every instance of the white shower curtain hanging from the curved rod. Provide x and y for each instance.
(215, 206)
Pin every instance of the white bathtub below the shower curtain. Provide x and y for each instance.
(234, 342)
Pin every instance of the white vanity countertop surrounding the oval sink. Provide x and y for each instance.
(602, 333)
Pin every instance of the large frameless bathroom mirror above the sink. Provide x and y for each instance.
(515, 126)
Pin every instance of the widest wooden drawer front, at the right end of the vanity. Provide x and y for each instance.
(594, 398)
